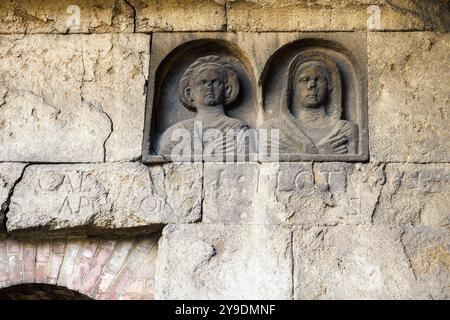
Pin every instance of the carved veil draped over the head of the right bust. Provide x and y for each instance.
(334, 104)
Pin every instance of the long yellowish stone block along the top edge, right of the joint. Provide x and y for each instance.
(328, 15)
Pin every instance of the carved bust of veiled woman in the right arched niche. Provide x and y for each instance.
(311, 109)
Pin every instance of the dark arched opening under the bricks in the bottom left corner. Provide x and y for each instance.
(39, 291)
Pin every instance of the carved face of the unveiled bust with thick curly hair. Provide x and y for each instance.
(208, 87)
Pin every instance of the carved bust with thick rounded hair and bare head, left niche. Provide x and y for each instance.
(207, 87)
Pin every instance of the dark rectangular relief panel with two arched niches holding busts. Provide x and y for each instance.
(311, 88)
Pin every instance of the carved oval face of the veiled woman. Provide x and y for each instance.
(310, 86)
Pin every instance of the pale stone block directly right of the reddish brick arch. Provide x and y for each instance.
(224, 262)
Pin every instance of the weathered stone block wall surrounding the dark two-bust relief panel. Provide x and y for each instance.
(81, 209)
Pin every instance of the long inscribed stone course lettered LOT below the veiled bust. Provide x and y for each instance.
(327, 194)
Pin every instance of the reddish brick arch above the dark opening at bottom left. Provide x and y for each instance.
(96, 267)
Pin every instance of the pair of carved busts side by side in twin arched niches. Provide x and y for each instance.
(308, 117)
